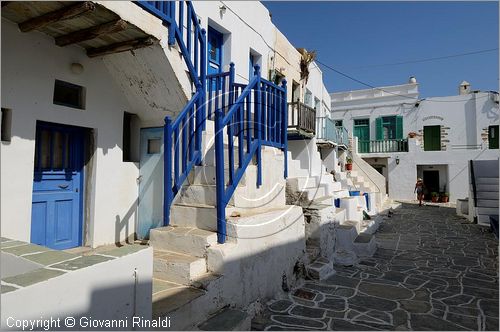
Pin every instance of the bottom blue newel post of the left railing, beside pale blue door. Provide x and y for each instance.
(167, 170)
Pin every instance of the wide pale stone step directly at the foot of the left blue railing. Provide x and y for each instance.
(187, 240)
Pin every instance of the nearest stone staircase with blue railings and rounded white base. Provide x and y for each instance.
(188, 262)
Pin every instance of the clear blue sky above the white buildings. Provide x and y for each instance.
(351, 35)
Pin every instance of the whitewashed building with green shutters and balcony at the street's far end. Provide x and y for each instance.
(405, 138)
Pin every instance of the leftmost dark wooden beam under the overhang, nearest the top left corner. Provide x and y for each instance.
(64, 13)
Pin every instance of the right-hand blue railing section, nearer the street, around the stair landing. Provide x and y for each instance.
(256, 116)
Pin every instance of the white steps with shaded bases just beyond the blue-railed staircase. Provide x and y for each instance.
(334, 235)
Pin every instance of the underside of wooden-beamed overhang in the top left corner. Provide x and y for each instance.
(85, 23)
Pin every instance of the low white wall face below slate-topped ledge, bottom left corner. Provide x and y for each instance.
(91, 292)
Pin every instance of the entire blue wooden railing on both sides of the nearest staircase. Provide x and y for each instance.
(253, 114)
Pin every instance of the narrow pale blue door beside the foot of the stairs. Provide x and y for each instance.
(150, 181)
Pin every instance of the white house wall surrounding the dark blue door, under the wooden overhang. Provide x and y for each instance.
(30, 64)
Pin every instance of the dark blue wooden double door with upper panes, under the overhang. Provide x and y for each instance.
(56, 218)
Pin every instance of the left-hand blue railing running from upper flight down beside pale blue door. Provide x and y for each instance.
(182, 137)
